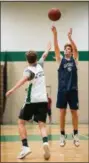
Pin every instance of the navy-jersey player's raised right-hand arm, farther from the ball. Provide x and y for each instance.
(75, 51)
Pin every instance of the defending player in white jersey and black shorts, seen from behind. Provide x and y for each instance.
(36, 101)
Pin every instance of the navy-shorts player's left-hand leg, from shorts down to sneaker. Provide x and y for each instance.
(62, 104)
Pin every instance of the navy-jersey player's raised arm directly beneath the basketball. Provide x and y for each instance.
(56, 46)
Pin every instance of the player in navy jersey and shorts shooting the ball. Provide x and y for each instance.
(67, 84)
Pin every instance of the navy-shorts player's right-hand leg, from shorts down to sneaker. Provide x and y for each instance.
(73, 102)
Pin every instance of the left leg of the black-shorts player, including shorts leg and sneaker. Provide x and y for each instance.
(24, 116)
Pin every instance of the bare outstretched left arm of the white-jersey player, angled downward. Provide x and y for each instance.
(18, 84)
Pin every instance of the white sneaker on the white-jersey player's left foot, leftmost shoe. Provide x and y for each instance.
(25, 151)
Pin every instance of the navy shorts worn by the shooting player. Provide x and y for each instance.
(70, 97)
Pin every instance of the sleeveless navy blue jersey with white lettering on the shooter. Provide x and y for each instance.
(67, 75)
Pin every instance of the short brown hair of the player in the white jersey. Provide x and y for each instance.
(31, 56)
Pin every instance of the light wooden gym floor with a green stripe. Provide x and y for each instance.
(11, 144)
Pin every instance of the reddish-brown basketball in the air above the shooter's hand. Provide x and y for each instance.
(54, 14)
